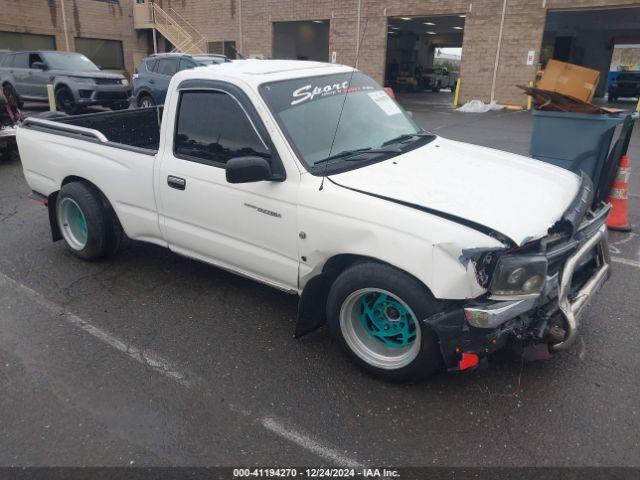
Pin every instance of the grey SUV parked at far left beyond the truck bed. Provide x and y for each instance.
(77, 81)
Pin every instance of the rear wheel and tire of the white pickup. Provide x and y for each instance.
(89, 227)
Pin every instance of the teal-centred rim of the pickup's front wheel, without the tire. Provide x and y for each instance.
(380, 328)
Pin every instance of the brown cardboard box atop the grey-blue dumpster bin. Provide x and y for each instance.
(569, 79)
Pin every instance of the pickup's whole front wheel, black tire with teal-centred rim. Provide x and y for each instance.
(395, 302)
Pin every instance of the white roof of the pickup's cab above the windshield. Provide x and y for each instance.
(256, 72)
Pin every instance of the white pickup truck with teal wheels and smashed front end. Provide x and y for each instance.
(420, 253)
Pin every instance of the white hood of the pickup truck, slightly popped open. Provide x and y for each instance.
(514, 195)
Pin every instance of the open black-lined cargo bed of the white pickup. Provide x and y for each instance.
(137, 129)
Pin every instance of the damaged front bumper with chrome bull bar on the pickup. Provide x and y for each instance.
(538, 326)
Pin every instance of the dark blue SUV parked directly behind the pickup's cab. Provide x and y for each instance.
(151, 81)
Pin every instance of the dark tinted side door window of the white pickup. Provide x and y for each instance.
(212, 126)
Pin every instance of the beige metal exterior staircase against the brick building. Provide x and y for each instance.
(171, 25)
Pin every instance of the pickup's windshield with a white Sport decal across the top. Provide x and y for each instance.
(308, 109)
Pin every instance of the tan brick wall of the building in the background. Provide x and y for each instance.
(220, 20)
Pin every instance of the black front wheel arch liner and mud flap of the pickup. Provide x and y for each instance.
(313, 299)
